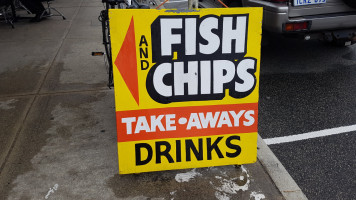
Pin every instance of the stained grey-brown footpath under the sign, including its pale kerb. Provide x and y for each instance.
(58, 131)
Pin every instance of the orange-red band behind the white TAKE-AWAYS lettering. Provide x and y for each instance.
(181, 129)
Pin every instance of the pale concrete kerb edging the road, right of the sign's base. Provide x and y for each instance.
(279, 175)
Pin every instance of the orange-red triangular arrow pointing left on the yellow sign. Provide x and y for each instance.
(126, 62)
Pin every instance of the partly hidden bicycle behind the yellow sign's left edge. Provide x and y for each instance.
(104, 19)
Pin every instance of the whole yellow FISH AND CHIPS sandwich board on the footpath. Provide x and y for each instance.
(186, 87)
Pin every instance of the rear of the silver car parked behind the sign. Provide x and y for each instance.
(329, 20)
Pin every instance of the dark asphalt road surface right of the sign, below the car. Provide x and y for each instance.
(309, 86)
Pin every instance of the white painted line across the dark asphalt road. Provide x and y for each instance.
(314, 134)
